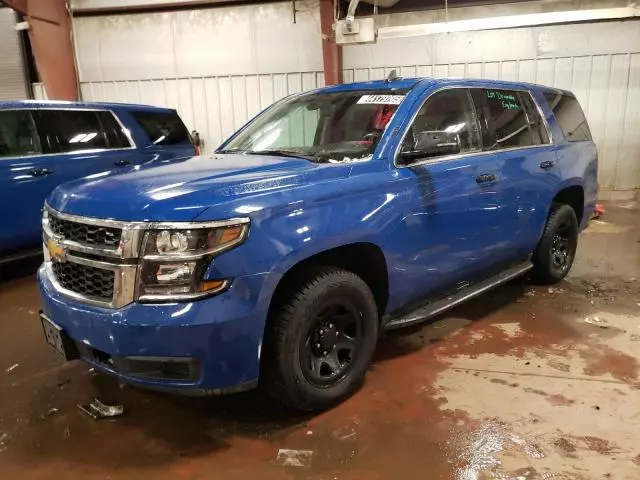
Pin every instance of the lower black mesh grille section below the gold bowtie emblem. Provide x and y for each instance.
(88, 281)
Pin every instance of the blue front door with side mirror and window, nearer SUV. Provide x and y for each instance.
(449, 186)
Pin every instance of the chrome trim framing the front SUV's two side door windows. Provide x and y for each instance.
(476, 152)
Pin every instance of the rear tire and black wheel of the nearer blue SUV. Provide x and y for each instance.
(556, 250)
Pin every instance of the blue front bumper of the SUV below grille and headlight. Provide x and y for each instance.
(218, 338)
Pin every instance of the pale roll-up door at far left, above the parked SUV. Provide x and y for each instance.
(12, 73)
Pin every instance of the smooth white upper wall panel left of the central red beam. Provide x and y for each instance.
(236, 40)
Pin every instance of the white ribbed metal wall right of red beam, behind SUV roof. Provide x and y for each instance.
(599, 62)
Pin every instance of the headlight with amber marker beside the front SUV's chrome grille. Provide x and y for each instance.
(174, 261)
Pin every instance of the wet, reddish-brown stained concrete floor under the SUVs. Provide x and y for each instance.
(516, 385)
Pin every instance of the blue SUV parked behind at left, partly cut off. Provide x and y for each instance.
(44, 144)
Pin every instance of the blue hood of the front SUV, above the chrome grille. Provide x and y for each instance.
(181, 190)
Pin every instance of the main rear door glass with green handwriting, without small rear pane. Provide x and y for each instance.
(506, 116)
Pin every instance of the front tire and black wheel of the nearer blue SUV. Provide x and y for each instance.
(319, 343)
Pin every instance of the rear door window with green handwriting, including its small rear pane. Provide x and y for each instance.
(511, 118)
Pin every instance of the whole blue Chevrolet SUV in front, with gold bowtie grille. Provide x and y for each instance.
(331, 216)
